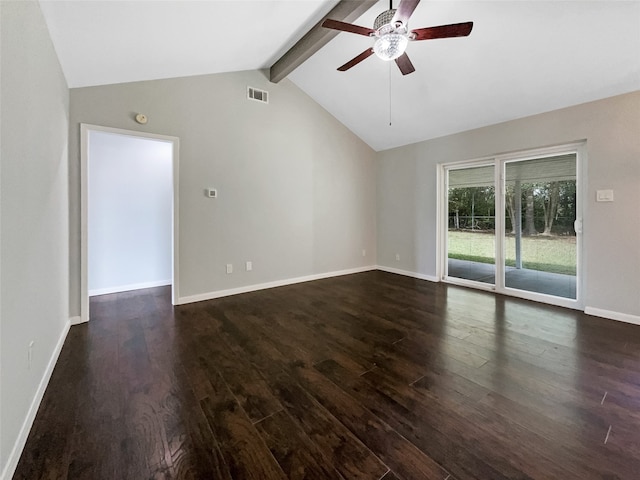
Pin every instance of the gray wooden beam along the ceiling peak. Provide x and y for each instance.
(317, 37)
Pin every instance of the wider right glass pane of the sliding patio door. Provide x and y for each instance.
(540, 253)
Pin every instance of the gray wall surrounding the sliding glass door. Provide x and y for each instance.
(406, 192)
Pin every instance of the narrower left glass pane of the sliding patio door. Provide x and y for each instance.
(471, 241)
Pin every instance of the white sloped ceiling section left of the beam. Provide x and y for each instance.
(101, 42)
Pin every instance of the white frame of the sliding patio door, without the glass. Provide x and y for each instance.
(499, 162)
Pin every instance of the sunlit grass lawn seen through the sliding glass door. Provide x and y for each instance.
(554, 254)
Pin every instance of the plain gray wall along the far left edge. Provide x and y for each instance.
(33, 215)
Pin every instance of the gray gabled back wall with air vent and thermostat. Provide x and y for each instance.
(296, 188)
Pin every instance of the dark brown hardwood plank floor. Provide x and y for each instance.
(367, 376)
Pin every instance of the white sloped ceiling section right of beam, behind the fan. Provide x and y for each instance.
(522, 58)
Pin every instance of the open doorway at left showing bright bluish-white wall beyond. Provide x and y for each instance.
(129, 212)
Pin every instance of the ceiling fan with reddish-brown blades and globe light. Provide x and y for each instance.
(392, 35)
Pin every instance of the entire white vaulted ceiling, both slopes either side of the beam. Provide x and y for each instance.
(522, 57)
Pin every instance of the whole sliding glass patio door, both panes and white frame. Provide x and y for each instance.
(530, 247)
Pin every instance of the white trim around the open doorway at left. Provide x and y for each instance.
(85, 130)
